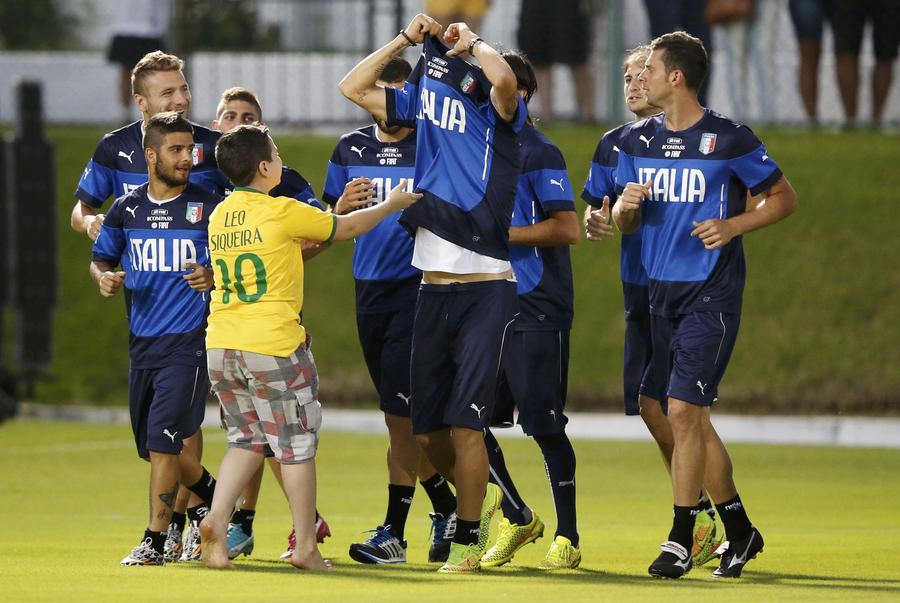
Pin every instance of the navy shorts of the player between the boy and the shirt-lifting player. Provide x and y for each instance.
(386, 340)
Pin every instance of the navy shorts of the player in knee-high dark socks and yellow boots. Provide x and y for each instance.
(534, 379)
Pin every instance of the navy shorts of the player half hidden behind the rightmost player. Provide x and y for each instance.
(638, 345)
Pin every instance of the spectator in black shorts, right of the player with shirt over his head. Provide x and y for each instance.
(558, 32)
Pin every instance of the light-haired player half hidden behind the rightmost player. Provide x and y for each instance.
(645, 399)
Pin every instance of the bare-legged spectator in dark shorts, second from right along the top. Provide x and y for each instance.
(809, 18)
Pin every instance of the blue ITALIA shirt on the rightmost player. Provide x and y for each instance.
(697, 174)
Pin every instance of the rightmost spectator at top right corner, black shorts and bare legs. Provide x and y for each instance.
(849, 19)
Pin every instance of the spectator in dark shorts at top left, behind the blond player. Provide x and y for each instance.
(139, 28)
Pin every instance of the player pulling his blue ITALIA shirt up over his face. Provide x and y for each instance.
(467, 118)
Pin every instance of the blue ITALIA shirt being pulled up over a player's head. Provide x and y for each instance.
(467, 156)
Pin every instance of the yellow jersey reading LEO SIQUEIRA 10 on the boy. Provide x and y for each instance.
(254, 243)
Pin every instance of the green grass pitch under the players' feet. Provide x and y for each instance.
(75, 503)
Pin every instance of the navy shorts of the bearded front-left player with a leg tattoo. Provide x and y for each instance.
(167, 405)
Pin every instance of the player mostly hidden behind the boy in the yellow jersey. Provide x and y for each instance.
(240, 106)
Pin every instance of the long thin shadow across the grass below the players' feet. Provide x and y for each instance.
(400, 574)
